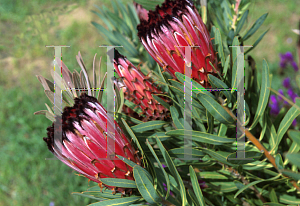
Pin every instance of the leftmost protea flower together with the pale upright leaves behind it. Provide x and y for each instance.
(84, 129)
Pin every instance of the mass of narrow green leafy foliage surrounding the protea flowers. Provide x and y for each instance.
(229, 182)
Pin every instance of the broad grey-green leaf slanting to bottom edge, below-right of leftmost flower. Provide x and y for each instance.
(145, 187)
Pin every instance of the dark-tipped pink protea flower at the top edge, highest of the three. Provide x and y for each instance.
(175, 24)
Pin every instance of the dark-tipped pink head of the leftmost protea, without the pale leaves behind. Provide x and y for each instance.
(84, 143)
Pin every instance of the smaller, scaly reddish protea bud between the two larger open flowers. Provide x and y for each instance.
(138, 89)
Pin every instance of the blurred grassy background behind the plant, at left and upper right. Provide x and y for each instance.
(26, 177)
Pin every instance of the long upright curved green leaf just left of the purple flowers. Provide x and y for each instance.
(264, 94)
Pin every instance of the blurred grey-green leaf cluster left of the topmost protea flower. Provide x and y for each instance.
(121, 30)
